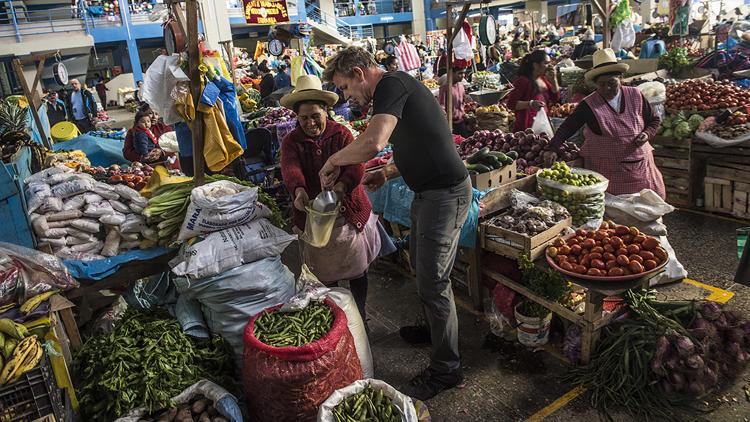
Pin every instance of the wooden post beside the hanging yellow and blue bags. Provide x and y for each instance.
(194, 74)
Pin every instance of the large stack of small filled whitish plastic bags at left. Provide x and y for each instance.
(81, 218)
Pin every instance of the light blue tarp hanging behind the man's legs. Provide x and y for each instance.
(394, 199)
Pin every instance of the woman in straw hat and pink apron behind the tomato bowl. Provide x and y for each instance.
(619, 123)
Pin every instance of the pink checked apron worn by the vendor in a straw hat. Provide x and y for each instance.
(614, 154)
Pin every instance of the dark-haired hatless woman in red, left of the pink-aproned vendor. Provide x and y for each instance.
(533, 89)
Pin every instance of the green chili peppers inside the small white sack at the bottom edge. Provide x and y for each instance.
(368, 405)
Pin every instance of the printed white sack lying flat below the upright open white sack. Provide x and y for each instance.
(230, 248)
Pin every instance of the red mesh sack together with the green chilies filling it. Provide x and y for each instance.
(289, 382)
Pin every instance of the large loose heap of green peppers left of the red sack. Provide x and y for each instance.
(144, 362)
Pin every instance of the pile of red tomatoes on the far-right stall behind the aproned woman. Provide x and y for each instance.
(702, 95)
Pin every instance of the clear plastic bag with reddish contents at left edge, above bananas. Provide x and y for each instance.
(25, 273)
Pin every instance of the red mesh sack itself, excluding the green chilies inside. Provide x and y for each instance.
(290, 383)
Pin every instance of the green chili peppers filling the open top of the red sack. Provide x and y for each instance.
(282, 329)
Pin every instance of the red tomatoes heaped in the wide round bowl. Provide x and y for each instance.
(612, 251)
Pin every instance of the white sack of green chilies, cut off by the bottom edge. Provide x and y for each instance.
(370, 398)
